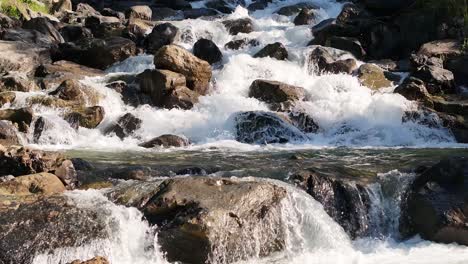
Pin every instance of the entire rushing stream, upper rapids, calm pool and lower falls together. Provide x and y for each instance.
(368, 123)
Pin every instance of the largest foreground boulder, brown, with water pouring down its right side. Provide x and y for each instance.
(194, 220)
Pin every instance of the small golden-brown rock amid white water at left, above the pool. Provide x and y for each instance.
(88, 117)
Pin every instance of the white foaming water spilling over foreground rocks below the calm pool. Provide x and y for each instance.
(311, 235)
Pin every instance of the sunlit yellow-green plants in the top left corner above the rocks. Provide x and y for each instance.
(15, 8)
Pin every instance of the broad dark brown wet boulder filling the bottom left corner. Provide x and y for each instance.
(26, 223)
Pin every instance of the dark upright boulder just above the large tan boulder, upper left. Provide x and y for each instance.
(162, 34)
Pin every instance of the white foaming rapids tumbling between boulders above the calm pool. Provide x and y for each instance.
(347, 113)
